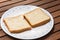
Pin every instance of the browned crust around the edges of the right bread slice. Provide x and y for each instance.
(39, 23)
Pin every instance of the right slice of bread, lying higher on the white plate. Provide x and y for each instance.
(37, 17)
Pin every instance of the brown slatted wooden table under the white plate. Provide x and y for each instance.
(53, 6)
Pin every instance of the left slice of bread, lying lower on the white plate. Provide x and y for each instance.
(17, 24)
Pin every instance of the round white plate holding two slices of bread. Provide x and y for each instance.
(31, 34)
